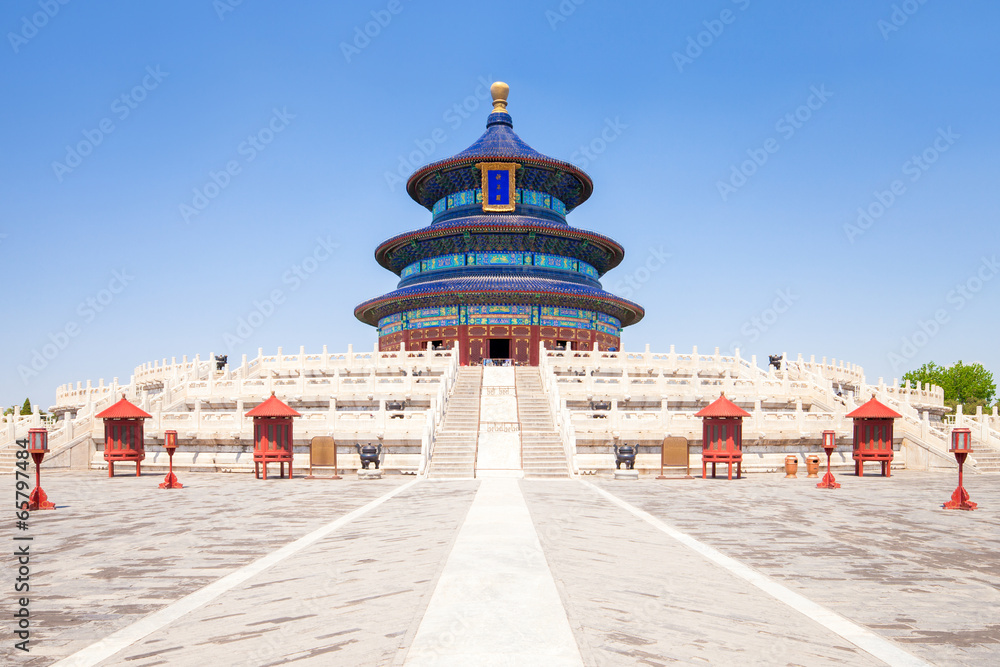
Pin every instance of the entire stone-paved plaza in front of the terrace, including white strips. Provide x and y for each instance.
(399, 571)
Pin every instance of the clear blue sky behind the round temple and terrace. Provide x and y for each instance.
(685, 91)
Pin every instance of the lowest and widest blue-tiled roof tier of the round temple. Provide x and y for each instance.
(499, 287)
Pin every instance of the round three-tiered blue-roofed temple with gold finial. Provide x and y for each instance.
(499, 272)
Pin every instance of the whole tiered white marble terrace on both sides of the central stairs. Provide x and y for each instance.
(399, 398)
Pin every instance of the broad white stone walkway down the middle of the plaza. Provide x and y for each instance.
(496, 602)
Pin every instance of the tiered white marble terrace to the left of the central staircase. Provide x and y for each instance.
(395, 397)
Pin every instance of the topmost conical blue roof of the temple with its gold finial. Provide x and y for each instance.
(538, 172)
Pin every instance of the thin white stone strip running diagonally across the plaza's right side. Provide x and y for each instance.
(858, 635)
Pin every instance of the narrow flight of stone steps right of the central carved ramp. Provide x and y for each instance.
(542, 455)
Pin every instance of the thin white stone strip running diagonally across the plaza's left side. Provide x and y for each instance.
(129, 635)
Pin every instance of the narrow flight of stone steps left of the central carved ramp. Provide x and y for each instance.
(454, 452)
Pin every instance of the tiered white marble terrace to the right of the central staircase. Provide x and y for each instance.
(645, 396)
